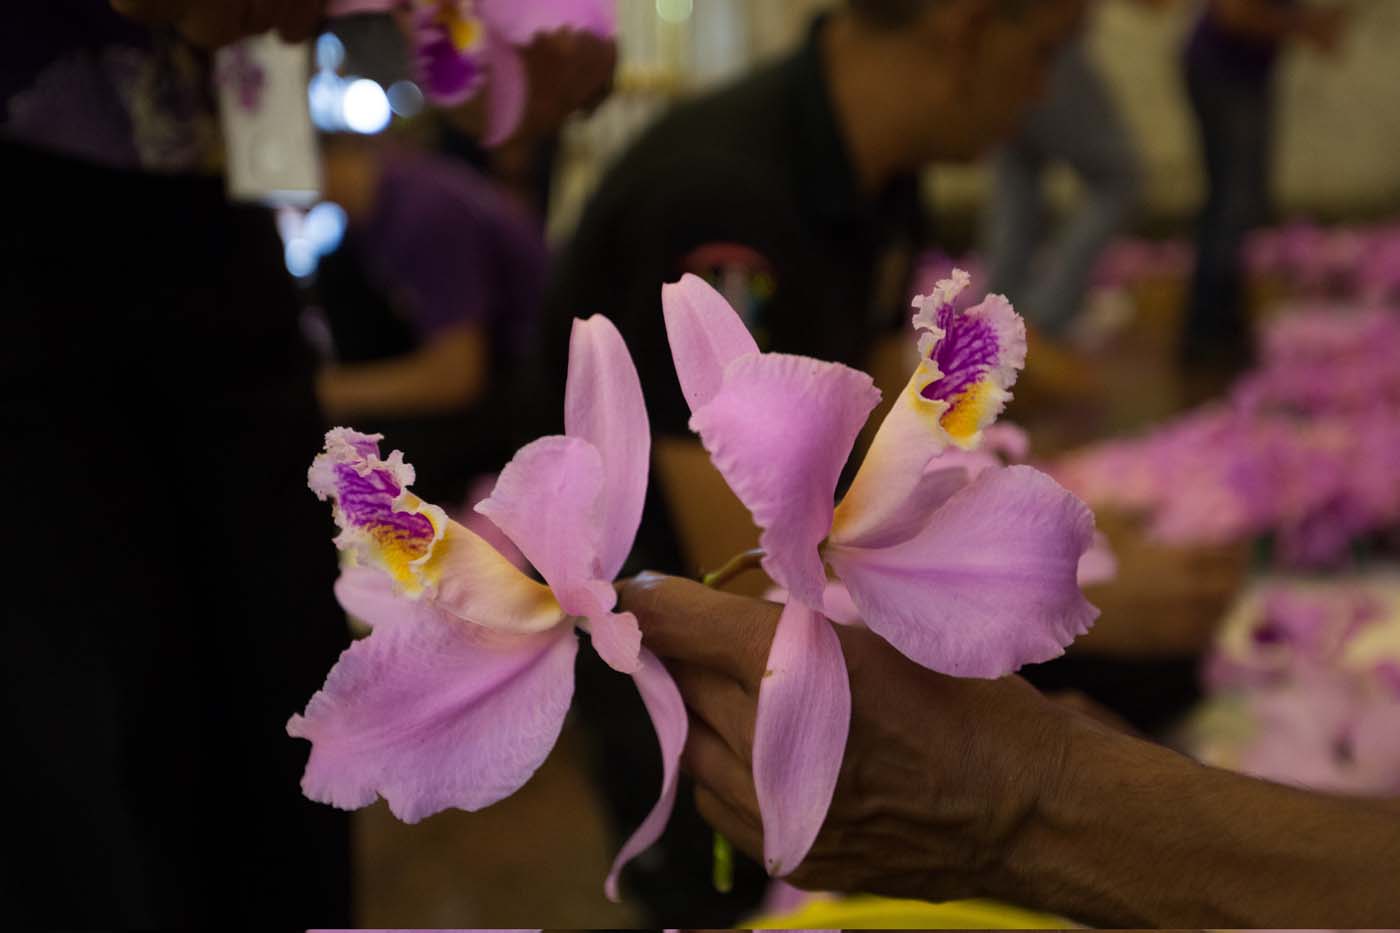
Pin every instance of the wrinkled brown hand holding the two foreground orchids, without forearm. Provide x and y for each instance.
(939, 773)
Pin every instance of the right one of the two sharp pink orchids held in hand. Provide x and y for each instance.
(971, 579)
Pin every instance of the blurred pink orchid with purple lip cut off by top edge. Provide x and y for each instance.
(465, 47)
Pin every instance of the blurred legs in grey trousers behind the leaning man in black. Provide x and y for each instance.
(1079, 124)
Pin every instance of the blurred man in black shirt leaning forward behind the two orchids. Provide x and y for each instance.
(794, 191)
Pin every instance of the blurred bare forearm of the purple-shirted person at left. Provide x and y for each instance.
(450, 372)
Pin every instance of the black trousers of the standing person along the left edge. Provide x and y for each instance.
(169, 582)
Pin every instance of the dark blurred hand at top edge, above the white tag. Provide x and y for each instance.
(216, 23)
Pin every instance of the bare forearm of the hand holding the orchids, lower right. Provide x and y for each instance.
(1136, 836)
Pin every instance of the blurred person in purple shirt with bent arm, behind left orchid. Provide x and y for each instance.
(432, 302)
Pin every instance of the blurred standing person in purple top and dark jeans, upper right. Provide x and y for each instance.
(1231, 60)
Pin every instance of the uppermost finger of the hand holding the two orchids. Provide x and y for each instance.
(688, 623)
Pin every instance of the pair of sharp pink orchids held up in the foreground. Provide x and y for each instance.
(964, 564)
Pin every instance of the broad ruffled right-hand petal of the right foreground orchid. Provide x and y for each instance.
(988, 586)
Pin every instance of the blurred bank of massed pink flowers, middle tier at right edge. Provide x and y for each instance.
(1301, 453)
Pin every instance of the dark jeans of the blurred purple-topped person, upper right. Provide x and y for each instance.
(1237, 134)
